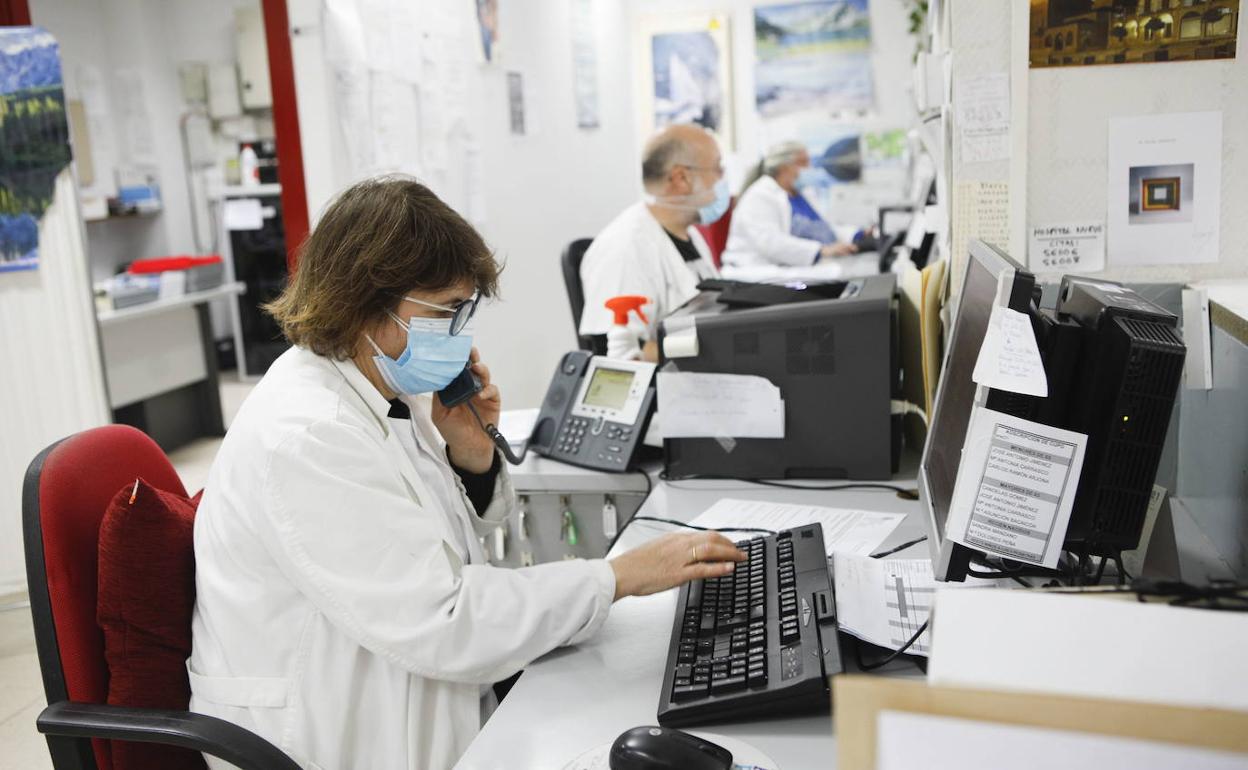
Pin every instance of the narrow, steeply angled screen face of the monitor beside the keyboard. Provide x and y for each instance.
(952, 412)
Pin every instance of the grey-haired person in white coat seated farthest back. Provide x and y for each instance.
(774, 224)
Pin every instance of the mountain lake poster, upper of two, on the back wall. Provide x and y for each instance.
(813, 56)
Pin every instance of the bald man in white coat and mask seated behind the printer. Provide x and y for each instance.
(652, 249)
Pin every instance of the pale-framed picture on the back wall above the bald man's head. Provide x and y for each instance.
(685, 74)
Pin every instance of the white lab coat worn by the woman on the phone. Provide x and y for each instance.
(343, 612)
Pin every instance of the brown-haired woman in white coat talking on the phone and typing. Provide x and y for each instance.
(345, 610)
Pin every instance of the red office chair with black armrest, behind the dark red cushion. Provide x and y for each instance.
(64, 499)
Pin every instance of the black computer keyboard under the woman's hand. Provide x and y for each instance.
(758, 642)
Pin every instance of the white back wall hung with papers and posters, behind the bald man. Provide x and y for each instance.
(560, 183)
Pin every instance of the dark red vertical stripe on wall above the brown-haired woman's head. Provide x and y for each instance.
(286, 124)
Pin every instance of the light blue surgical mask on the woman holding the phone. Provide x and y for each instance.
(434, 358)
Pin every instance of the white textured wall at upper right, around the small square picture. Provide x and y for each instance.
(1059, 170)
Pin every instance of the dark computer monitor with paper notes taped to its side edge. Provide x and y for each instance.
(992, 279)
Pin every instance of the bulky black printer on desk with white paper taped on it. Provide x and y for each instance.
(837, 369)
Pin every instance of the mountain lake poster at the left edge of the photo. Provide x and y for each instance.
(34, 140)
